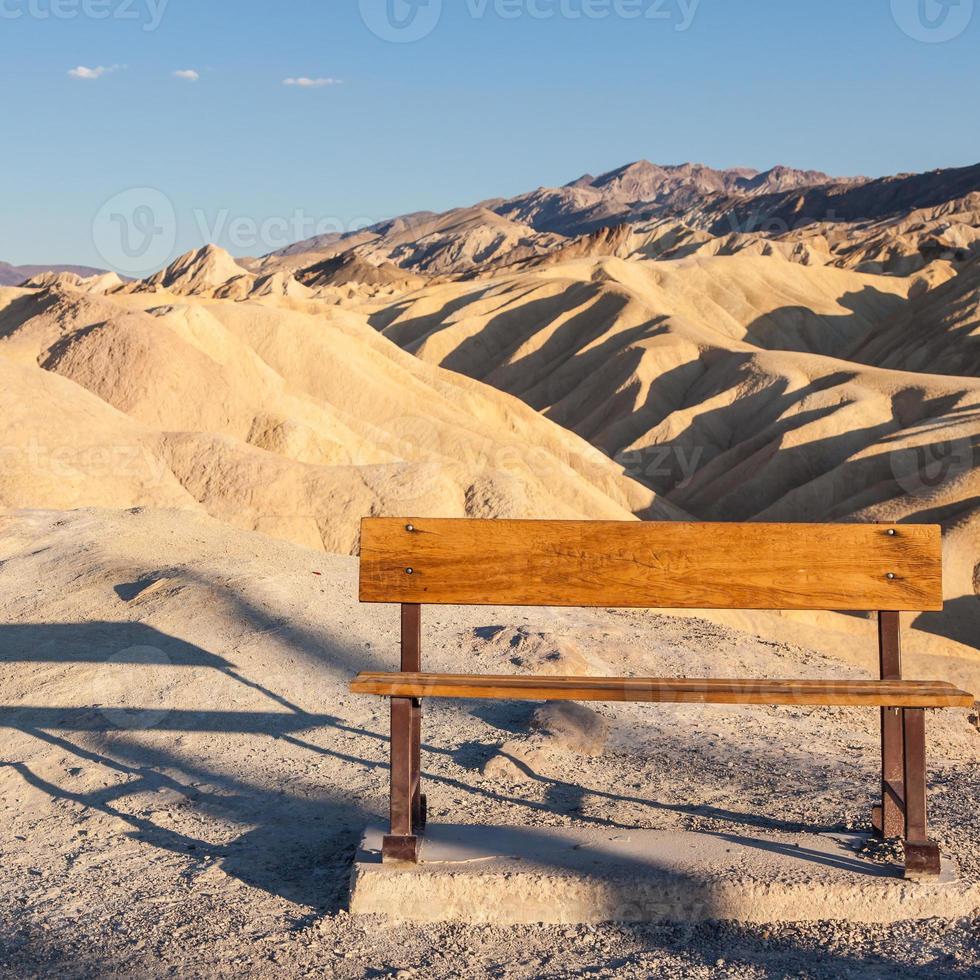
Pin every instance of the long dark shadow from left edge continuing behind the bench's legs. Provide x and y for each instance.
(146, 766)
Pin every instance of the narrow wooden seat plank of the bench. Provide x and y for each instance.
(891, 693)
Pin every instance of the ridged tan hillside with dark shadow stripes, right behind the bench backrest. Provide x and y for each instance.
(723, 384)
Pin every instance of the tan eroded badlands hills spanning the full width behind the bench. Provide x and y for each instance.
(621, 374)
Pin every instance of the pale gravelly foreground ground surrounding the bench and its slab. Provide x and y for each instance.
(216, 823)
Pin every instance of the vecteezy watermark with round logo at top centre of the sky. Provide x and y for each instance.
(403, 21)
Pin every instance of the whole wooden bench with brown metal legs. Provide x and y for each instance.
(885, 568)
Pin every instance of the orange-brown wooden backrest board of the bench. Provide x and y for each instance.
(646, 564)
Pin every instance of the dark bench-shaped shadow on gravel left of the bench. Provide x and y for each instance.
(299, 846)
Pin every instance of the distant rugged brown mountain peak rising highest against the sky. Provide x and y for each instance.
(499, 232)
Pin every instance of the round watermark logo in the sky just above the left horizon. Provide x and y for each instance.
(135, 231)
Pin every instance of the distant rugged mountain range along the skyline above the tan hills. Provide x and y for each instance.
(796, 208)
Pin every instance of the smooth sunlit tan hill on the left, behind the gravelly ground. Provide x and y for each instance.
(295, 424)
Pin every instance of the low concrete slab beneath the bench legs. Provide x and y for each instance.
(507, 875)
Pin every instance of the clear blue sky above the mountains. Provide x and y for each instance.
(498, 97)
